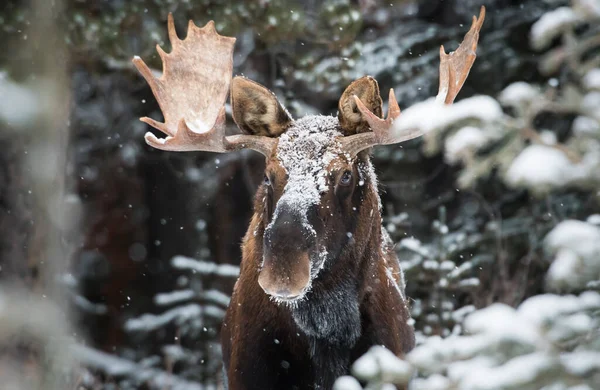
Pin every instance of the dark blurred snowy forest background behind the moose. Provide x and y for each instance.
(156, 235)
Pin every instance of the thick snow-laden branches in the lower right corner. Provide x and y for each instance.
(546, 340)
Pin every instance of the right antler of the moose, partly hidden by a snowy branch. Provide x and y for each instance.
(454, 69)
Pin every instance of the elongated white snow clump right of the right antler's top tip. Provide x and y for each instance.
(550, 25)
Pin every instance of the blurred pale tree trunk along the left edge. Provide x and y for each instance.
(38, 217)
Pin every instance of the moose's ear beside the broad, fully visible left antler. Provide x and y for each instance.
(256, 110)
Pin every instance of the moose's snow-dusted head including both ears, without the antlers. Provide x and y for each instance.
(312, 187)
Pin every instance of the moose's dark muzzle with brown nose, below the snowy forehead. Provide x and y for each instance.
(289, 242)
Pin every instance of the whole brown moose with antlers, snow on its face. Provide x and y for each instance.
(320, 282)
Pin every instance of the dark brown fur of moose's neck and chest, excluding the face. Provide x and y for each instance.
(258, 334)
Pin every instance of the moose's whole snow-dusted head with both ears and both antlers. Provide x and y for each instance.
(319, 189)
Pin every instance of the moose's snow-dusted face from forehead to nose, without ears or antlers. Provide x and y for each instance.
(309, 207)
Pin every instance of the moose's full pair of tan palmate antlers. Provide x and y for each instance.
(195, 82)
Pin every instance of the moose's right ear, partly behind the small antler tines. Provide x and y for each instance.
(351, 120)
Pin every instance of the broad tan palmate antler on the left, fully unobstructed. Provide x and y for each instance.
(192, 92)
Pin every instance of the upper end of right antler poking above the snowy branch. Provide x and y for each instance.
(455, 67)
